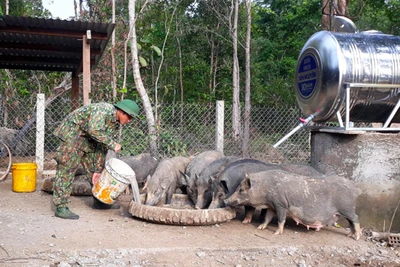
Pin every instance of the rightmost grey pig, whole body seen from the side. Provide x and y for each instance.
(311, 202)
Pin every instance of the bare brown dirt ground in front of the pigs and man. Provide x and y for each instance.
(31, 236)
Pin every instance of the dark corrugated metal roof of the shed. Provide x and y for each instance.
(49, 44)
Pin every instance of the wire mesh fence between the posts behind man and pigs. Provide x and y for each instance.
(182, 129)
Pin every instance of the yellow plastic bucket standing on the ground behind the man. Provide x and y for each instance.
(23, 177)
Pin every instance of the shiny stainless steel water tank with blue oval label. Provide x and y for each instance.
(330, 60)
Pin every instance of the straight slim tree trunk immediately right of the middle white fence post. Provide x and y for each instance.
(235, 75)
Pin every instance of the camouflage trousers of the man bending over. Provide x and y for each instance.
(68, 158)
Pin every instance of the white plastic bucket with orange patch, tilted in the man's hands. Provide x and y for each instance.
(114, 179)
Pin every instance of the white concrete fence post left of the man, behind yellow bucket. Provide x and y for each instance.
(40, 134)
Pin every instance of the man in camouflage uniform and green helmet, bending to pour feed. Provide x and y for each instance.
(86, 134)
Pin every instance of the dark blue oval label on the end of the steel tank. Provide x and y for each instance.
(307, 75)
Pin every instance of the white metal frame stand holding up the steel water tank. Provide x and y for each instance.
(349, 126)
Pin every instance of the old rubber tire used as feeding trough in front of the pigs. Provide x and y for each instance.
(177, 216)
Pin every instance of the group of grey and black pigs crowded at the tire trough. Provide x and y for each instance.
(212, 180)
